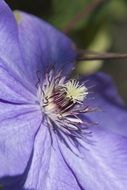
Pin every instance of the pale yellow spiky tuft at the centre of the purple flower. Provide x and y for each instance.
(75, 91)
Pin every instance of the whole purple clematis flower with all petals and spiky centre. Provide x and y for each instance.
(49, 139)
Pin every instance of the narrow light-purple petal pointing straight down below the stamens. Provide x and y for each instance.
(48, 169)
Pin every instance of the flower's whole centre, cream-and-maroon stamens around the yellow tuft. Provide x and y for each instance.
(62, 103)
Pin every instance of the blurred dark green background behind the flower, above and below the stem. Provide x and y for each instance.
(99, 25)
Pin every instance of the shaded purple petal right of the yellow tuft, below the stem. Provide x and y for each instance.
(112, 114)
